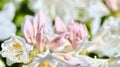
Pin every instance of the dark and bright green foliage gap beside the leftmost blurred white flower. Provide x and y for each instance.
(20, 14)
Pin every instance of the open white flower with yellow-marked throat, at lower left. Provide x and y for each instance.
(16, 50)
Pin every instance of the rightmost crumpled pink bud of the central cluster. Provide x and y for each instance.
(77, 33)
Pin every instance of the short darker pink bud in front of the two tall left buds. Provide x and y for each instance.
(40, 38)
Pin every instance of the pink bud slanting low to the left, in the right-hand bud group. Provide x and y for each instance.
(58, 41)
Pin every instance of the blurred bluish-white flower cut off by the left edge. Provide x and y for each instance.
(7, 28)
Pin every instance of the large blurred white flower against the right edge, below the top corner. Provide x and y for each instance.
(107, 40)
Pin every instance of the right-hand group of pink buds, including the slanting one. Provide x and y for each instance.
(71, 36)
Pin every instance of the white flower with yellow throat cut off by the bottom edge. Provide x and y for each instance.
(46, 60)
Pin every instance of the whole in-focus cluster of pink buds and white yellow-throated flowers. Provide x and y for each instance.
(39, 49)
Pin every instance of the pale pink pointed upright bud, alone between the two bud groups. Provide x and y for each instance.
(59, 26)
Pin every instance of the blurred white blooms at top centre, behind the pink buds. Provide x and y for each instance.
(66, 9)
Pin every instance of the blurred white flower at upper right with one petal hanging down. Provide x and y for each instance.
(93, 10)
